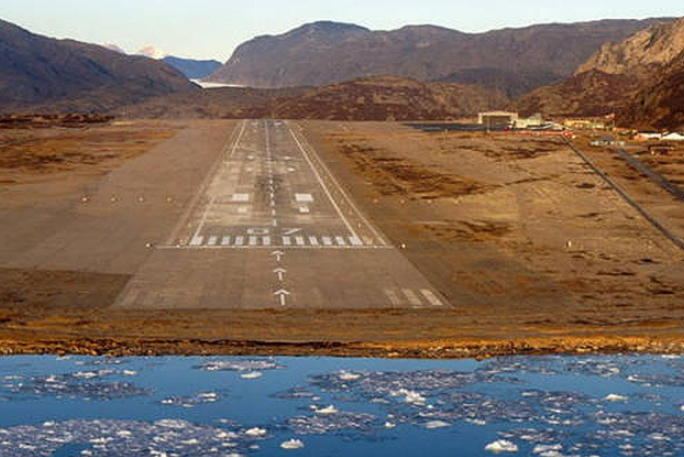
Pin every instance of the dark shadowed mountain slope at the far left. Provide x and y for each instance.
(39, 70)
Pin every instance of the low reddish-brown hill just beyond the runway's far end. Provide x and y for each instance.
(383, 98)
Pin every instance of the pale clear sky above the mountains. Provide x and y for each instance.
(214, 28)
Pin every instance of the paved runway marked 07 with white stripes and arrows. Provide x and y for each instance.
(271, 227)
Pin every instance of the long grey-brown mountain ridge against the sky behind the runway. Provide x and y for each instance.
(325, 53)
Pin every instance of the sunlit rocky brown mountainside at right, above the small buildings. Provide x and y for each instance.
(614, 77)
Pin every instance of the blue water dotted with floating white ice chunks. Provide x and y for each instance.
(193, 407)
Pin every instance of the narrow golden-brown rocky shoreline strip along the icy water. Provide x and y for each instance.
(424, 349)
